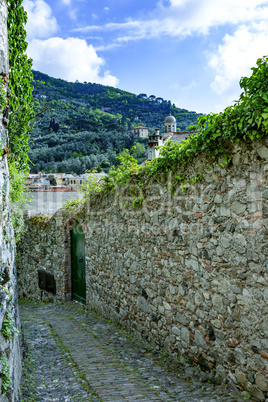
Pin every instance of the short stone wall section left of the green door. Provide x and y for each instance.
(45, 246)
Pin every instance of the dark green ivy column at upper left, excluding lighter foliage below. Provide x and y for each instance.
(20, 95)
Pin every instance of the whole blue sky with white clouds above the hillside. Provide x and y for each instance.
(191, 52)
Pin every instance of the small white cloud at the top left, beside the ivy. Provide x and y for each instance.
(41, 23)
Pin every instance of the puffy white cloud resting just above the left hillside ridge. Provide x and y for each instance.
(70, 59)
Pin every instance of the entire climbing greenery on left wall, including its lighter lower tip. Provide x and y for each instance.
(20, 109)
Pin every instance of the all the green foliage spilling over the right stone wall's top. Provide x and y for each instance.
(246, 120)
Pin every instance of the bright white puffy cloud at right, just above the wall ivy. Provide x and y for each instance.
(236, 55)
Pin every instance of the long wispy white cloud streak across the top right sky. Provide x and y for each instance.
(180, 18)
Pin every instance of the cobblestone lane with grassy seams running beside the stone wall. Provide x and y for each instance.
(75, 355)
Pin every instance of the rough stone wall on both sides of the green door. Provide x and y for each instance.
(188, 271)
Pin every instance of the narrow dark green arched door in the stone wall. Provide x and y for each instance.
(78, 264)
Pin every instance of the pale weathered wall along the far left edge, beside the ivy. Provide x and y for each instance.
(9, 349)
